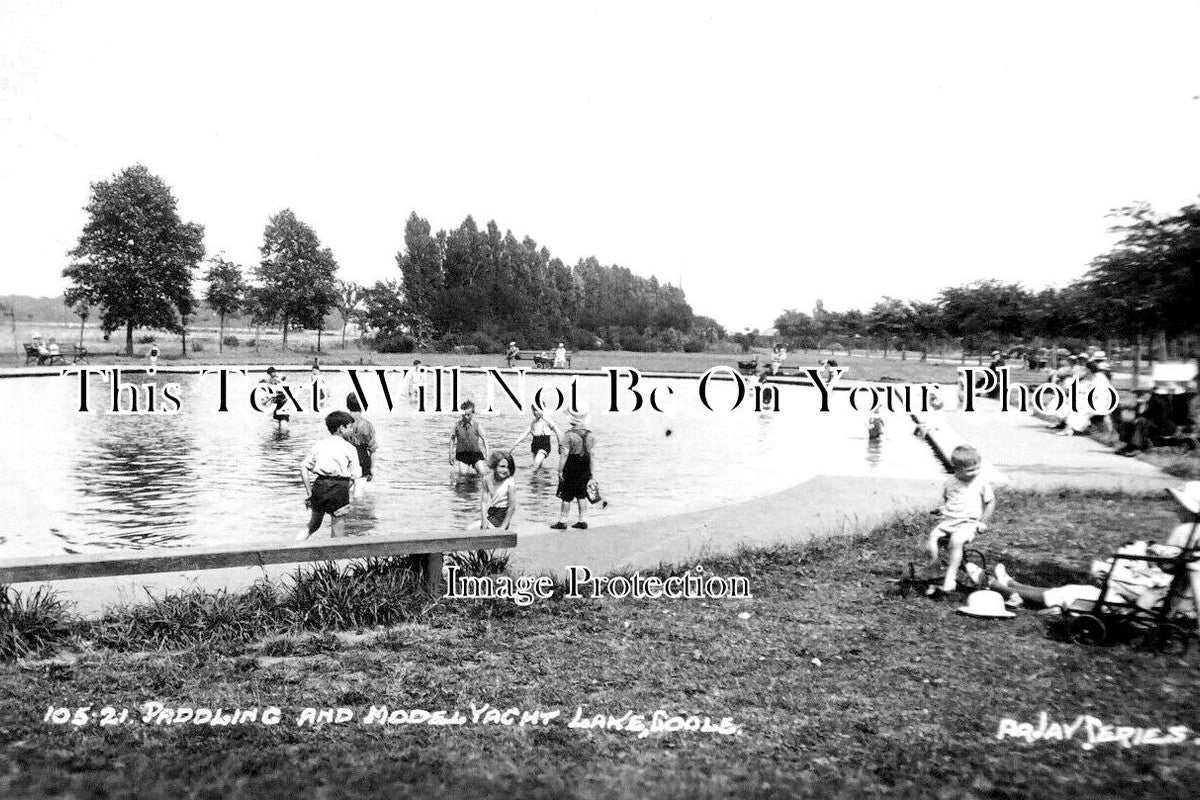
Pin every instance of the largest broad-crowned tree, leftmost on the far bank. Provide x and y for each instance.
(135, 258)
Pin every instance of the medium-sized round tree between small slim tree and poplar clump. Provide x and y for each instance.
(297, 275)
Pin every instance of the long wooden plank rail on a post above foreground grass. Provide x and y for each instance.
(94, 566)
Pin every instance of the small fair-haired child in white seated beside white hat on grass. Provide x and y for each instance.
(968, 503)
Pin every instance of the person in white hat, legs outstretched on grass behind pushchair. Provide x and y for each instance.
(1144, 585)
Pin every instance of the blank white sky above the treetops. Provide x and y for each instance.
(766, 155)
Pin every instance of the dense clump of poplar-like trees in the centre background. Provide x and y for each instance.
(484, 288)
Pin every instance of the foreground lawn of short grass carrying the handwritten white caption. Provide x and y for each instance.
(842, 689)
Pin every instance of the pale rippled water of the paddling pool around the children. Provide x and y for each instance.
(94, 482)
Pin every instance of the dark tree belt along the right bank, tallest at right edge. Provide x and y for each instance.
(1145, 291)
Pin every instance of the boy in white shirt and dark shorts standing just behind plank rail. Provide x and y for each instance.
(328, 473)
